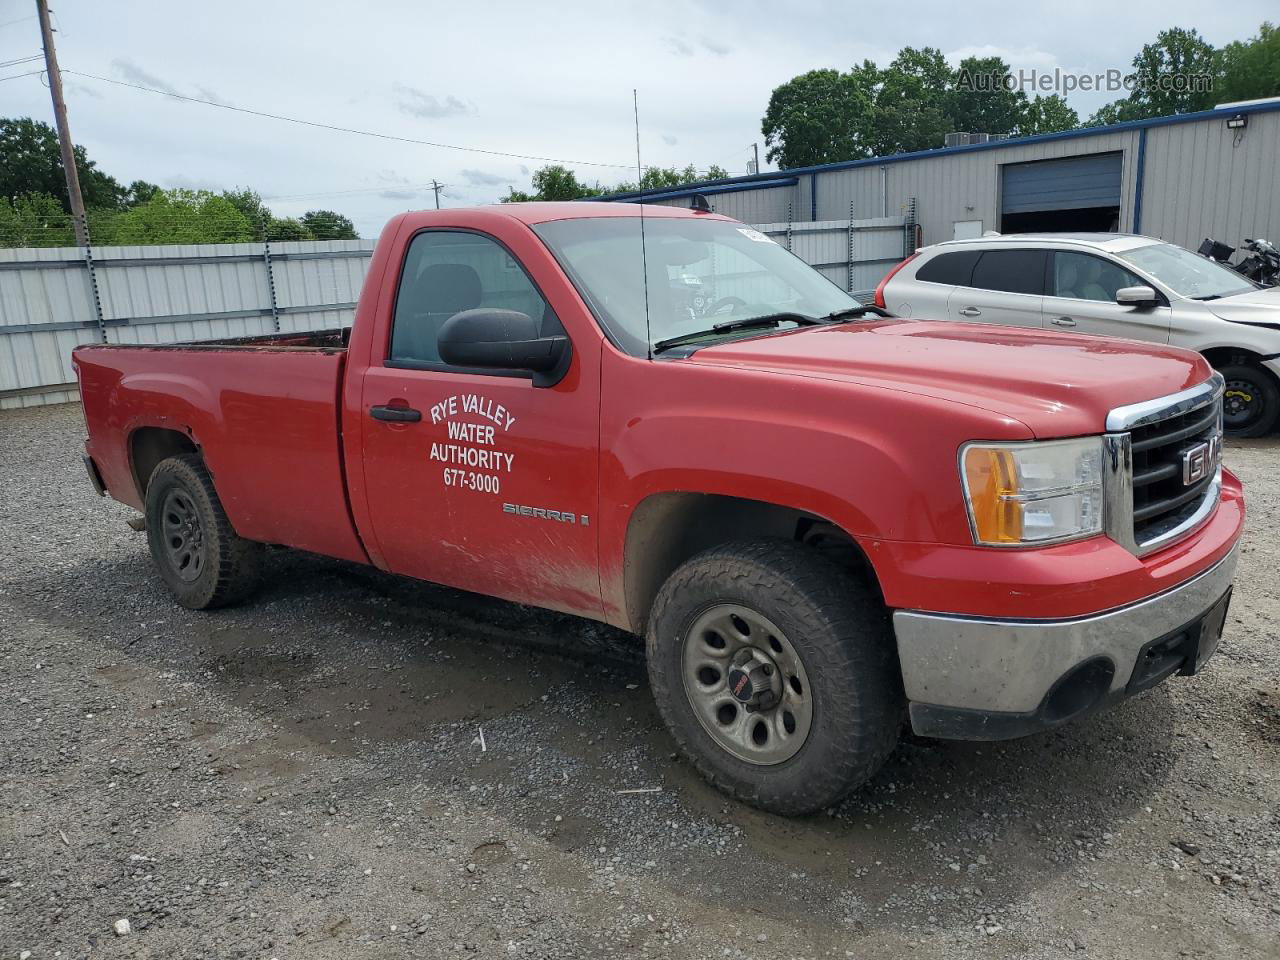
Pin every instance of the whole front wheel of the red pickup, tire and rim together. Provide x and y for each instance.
(776, 675)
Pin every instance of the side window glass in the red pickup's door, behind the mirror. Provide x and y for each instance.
(449, 272)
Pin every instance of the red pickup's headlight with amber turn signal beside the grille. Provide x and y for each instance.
(1034, 493)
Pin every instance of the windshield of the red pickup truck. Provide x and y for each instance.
(701, 273)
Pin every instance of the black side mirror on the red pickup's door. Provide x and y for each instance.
(504, 340)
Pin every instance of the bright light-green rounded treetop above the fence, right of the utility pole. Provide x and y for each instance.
(185, 217)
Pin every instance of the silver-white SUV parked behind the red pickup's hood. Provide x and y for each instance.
(1112, 285)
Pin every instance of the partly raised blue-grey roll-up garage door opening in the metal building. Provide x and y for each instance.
(1069, 195)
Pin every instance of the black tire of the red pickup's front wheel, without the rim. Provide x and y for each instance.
(842, 634)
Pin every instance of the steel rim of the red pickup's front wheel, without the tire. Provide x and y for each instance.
(728, 639)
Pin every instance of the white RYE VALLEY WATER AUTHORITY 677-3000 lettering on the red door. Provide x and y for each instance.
(472, 458)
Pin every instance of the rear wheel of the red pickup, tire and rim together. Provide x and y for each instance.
(199, 556)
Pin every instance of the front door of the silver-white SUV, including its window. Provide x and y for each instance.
(1082, 299)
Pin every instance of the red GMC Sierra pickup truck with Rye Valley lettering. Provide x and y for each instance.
(822, 520)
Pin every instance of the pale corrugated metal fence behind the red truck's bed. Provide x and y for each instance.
(52, 300)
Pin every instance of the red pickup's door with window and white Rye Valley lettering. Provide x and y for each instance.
(478, 479)
